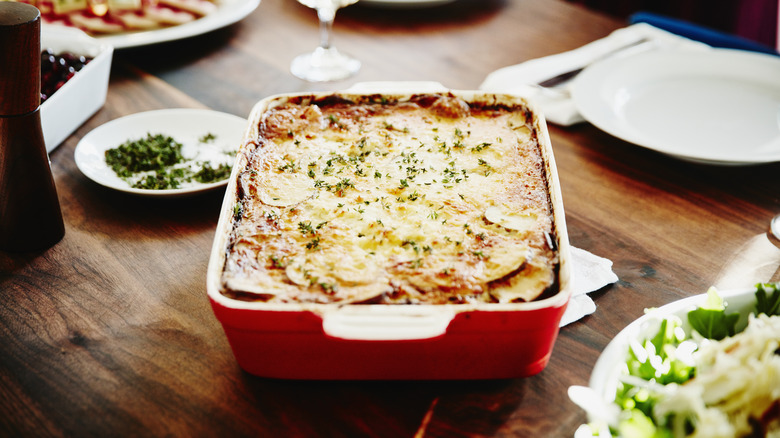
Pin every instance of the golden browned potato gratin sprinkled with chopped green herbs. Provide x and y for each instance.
(427, 199)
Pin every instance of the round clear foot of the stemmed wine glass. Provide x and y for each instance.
(324, 65)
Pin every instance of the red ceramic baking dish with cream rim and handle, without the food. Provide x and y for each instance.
(374, 341)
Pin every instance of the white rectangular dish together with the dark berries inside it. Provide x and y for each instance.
(74, 80)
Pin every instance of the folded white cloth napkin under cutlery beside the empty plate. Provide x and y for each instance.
(557, 105)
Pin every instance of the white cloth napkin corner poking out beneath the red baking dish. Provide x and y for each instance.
(590, 273)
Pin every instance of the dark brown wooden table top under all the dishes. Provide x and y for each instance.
(110, 331)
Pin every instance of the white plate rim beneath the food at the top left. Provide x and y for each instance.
(228, 12)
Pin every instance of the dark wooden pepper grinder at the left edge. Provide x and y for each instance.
(30, 215)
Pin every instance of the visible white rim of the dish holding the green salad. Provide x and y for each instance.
(604, 378)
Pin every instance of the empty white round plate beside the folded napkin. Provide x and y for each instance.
(717, 106)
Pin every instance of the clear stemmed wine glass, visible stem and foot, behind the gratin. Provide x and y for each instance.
(326, 63)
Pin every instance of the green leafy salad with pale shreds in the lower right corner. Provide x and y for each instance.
(715, 381)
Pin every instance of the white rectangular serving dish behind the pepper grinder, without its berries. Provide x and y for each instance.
(84, 93)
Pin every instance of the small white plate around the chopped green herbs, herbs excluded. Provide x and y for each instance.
(183, 125)
